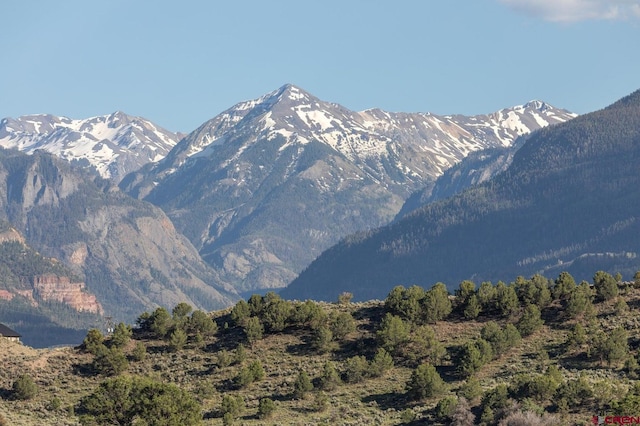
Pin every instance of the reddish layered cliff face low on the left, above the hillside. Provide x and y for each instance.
(61, 289)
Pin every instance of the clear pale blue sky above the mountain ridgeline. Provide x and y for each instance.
(181, 63)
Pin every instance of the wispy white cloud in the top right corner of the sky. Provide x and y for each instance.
(577, 10)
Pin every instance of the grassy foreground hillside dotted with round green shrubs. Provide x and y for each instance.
(576, 359)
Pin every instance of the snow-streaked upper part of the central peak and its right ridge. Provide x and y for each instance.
(429, 143)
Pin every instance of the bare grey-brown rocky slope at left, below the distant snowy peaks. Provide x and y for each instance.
(125, 251)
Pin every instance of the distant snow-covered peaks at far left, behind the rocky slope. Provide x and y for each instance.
(114, 144)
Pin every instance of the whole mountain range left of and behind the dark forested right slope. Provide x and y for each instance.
(242, 204)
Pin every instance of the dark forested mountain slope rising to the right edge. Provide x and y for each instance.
(568, 201)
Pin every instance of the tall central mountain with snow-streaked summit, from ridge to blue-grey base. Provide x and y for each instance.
(267, 185)
